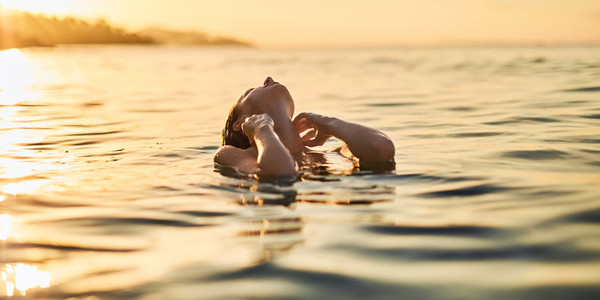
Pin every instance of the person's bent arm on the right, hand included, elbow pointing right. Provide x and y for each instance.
(367, 144)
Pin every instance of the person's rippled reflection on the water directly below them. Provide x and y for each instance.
(274, 227)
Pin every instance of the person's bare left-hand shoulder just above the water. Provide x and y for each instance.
(244, 160)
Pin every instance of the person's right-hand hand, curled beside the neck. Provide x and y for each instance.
(315, 126)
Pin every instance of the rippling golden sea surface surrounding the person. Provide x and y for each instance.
(108, 188)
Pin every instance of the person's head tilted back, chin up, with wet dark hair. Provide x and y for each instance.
(272, 98)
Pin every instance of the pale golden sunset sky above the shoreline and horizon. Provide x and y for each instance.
(285, 23)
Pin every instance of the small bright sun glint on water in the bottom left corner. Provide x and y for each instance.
(20, 278)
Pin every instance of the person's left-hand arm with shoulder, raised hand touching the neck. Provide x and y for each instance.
(269, 158)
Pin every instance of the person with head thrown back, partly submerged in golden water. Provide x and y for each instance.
(260, 137)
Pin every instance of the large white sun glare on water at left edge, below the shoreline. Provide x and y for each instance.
(19, 172)
